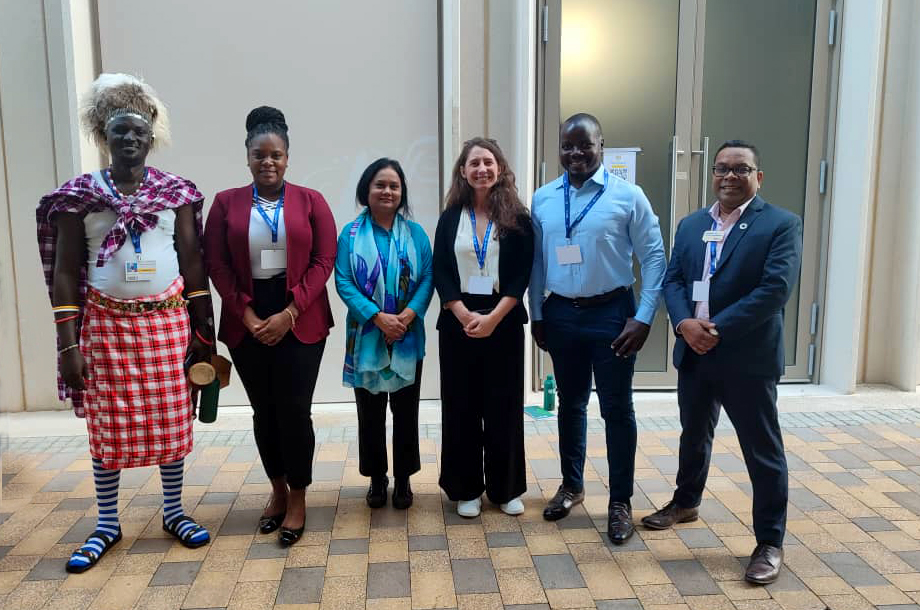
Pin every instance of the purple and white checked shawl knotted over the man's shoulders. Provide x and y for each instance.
(160, 191)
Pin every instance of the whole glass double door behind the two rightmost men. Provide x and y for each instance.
(670, 80)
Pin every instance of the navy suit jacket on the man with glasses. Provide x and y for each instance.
(754, 278)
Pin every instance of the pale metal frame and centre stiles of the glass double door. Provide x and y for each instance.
(690, 154)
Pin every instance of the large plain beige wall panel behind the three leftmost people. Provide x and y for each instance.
(357, 80)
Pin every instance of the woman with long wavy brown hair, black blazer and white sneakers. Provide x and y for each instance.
(483, 252)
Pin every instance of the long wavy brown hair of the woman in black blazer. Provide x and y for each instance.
(507, 211)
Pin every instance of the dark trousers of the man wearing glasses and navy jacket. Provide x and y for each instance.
(750, 402)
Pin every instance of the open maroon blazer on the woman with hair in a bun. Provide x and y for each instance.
(311, 242)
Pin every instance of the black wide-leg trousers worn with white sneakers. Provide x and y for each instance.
(482, 412)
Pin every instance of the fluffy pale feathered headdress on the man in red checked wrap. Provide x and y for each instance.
(115, 95)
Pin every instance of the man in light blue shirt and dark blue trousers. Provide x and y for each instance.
(588, 225)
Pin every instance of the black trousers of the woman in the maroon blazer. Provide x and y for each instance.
(279, 381)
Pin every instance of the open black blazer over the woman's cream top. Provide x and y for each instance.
(515, 260)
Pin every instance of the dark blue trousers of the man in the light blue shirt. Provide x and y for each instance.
(578, 340)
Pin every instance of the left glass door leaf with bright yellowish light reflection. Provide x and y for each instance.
(630, 63)
